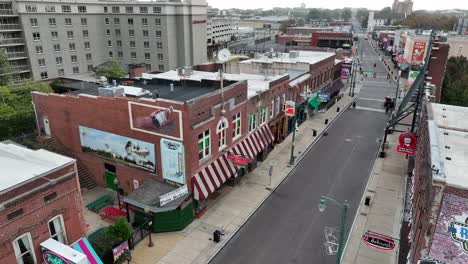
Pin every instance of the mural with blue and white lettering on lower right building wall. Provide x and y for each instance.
(450, 242)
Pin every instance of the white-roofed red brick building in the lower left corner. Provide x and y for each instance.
(40, 198)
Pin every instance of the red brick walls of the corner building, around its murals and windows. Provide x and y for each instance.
(67, 113)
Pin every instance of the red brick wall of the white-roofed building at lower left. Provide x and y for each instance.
(37, 214)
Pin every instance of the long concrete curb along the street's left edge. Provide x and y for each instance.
(298, 160)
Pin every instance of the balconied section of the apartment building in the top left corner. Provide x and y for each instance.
(12, 40)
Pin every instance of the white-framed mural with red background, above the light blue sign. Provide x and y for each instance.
(160, 121)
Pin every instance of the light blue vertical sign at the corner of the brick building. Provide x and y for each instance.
(173, 161)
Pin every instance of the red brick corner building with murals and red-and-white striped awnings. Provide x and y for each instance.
(175, 129)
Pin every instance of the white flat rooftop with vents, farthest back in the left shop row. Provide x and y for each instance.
(310, 57)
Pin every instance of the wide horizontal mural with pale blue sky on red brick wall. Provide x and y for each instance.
(120, 149)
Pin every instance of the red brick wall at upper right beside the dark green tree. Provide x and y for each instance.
(437, 65)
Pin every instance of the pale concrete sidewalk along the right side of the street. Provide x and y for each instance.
(384, 215)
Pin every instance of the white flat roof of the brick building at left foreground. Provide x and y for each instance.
(19, 164)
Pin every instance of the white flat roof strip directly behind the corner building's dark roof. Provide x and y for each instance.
(255, 83)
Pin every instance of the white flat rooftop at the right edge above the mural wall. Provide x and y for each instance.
(448, 130)
